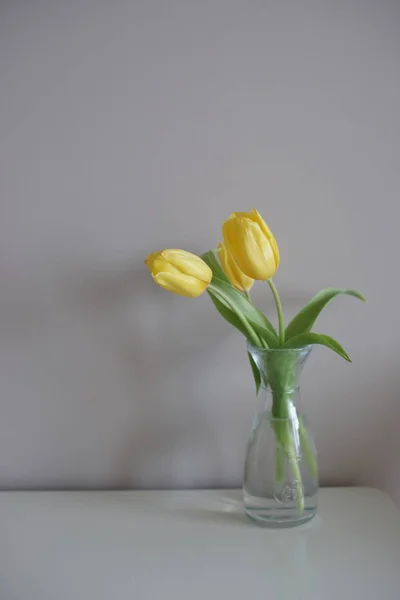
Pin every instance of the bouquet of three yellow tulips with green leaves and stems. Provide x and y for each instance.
(249, 252)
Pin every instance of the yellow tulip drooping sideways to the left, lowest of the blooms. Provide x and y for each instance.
(179, 272)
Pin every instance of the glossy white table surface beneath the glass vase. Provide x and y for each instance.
(194, 545)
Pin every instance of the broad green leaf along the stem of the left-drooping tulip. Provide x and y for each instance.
(253, 316)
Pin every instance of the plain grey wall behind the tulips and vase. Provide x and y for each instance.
(129, 126)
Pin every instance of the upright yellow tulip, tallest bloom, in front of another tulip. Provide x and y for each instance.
(250, 241)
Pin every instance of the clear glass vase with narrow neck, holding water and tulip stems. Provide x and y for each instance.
(281, 473)
